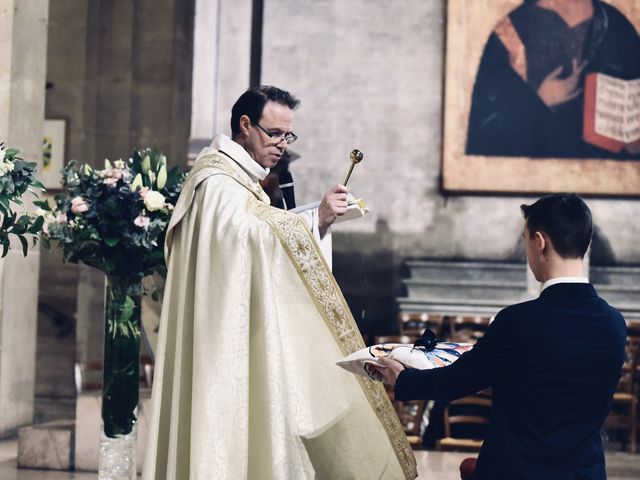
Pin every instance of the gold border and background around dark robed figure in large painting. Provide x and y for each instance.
(469, 25)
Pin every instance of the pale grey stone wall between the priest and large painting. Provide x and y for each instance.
(370, 76)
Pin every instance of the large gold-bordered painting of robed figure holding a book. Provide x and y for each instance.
(520, 96)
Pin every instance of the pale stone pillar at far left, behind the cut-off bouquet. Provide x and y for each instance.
(23, 50)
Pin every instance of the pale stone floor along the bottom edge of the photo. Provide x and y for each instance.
(431, 465)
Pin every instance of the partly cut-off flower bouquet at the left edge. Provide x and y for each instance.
(16, 178)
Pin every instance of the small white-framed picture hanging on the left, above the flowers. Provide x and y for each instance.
(53, 152)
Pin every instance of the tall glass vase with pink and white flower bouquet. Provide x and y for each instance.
(115, 220)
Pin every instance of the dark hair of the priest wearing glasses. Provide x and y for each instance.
(251, 103)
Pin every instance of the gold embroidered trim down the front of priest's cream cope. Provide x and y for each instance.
(304, 253)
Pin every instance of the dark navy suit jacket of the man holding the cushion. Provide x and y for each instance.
(553, 364)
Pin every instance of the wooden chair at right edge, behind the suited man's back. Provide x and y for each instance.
(624, 411)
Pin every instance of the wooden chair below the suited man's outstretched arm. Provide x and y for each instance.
(465, 421)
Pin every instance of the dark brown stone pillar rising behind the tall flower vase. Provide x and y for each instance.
(144, 78)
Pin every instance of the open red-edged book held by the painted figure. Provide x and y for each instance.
(611, 111)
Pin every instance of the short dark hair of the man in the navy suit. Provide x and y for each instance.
(565, 218)
